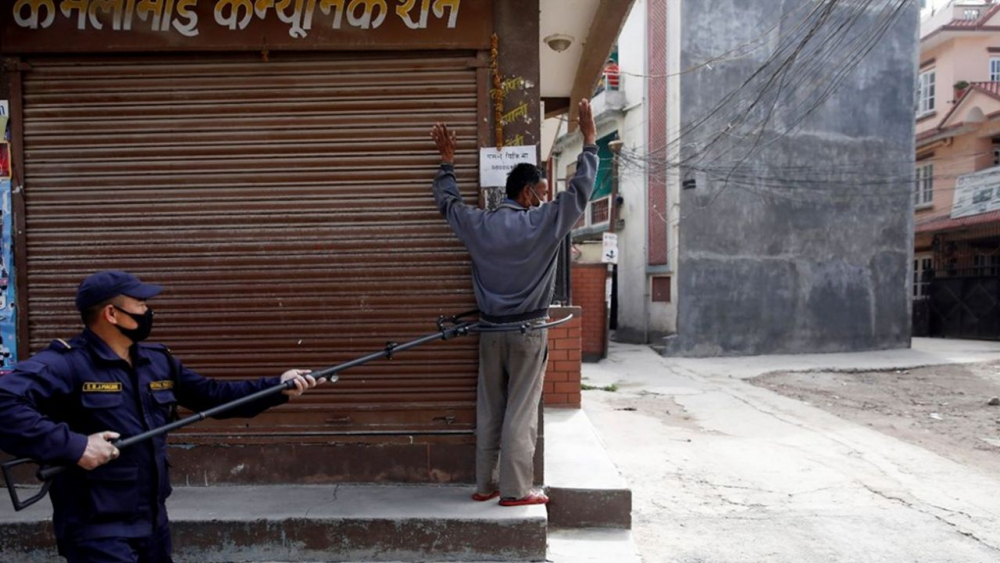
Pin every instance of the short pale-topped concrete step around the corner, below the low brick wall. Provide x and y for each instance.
(585, 487)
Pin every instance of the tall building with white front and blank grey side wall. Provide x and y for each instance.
(740, 161)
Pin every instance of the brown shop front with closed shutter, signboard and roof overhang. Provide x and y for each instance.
(270, 164)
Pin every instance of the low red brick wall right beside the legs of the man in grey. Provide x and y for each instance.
(562, 376)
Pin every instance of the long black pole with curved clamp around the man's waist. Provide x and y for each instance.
(448, 328)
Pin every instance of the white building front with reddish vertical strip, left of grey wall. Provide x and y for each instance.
(631, 199)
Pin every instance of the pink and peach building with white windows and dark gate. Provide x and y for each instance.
(956, 265)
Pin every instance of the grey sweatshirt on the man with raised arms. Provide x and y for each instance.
(514, 249)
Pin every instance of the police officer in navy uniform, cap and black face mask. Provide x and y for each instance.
(66, 404)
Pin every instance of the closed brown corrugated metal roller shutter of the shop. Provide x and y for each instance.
(285, 204)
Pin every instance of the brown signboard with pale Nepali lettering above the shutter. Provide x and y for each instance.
(391, 21)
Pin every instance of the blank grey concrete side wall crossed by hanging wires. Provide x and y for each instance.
(806, 247)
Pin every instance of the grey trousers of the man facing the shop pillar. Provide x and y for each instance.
(511, 371)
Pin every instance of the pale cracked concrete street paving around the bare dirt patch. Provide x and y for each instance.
(722, 471)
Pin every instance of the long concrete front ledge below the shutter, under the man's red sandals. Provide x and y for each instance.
(328, 523)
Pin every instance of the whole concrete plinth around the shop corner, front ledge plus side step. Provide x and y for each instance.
(386, 523)
